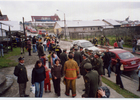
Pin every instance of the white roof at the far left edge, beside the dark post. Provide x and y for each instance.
(14, 25)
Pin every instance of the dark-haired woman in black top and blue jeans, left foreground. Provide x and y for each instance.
(38, 77)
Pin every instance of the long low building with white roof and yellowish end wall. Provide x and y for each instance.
(80, 26)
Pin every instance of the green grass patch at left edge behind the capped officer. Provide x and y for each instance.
(8, 62)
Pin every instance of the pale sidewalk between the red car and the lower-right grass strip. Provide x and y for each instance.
(129, 84)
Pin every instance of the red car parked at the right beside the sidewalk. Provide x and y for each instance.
(129, 61)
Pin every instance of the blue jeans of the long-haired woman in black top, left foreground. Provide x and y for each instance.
(39, 89)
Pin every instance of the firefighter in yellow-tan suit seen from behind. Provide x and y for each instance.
(71, 71)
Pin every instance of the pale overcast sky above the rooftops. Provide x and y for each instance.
(74, 10)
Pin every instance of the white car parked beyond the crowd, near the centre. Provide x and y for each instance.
(86, 45)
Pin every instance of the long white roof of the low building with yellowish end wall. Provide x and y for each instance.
(82, 23)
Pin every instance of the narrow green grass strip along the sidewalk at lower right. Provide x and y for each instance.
(123, 92)
